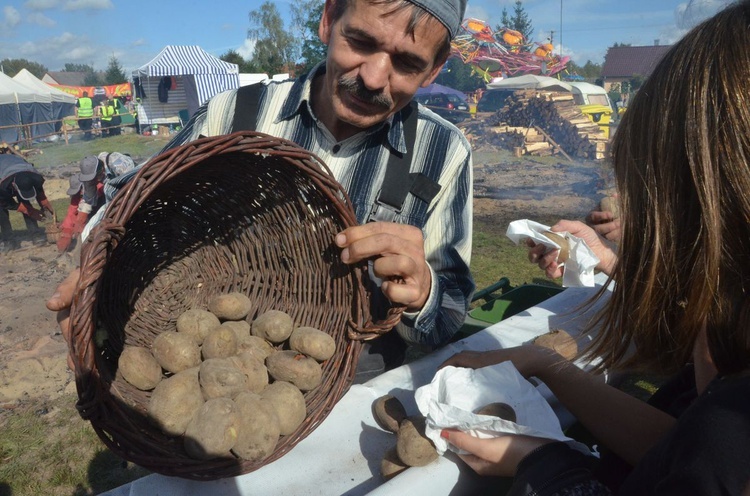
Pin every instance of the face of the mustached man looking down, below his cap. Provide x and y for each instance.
(374, 67)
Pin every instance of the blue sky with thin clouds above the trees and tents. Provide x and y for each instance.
(53, 32)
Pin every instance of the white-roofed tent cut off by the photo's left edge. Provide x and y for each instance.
(20, 105)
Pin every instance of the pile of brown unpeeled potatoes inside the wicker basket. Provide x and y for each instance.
(229, 388)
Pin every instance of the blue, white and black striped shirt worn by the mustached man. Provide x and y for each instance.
(358, 163)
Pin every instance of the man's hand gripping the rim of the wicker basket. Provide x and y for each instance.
(399, 259)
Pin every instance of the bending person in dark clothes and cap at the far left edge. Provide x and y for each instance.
(20, 183)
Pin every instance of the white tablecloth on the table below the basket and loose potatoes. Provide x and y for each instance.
(342, 456)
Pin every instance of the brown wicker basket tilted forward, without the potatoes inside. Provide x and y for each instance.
(242, 212)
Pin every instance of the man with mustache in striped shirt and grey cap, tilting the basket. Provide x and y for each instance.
(351, 110)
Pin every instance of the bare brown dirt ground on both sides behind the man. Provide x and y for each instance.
(33, 366)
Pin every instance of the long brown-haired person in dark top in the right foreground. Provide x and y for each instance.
(680, 304)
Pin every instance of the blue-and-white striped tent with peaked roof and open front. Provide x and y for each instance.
(192, 75)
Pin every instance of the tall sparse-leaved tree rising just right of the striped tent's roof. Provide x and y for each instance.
(275, 48)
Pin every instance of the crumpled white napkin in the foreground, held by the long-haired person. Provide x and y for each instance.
(455, 393)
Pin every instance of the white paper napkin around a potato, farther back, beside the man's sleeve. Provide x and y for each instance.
(579, 267)
